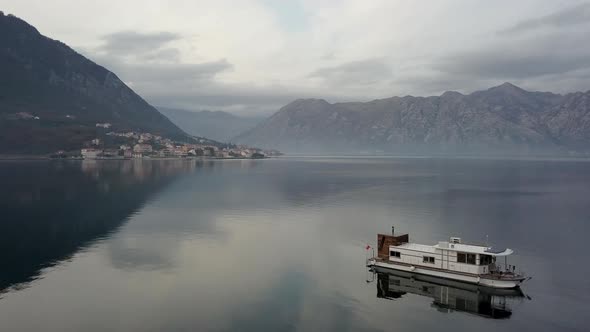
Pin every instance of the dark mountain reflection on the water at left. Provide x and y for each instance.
(52, 210)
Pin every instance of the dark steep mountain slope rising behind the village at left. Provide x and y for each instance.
(52, 97)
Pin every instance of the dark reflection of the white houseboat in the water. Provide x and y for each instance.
(448, 295)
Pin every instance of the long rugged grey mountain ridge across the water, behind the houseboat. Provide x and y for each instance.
(505, 118)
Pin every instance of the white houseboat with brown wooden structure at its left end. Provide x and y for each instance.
(454, 260)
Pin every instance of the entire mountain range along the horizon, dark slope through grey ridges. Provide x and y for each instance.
(52, 97)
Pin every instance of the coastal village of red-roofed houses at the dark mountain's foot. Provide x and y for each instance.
(147, 145)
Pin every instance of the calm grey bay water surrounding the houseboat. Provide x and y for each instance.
(279, 245)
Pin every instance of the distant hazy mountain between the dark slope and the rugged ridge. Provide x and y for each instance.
(218, 125)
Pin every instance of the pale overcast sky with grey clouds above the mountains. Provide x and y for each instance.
(253, 56)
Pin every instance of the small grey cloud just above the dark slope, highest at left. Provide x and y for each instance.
(132, 43)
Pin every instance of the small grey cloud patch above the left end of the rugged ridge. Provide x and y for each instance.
(356, 72)
